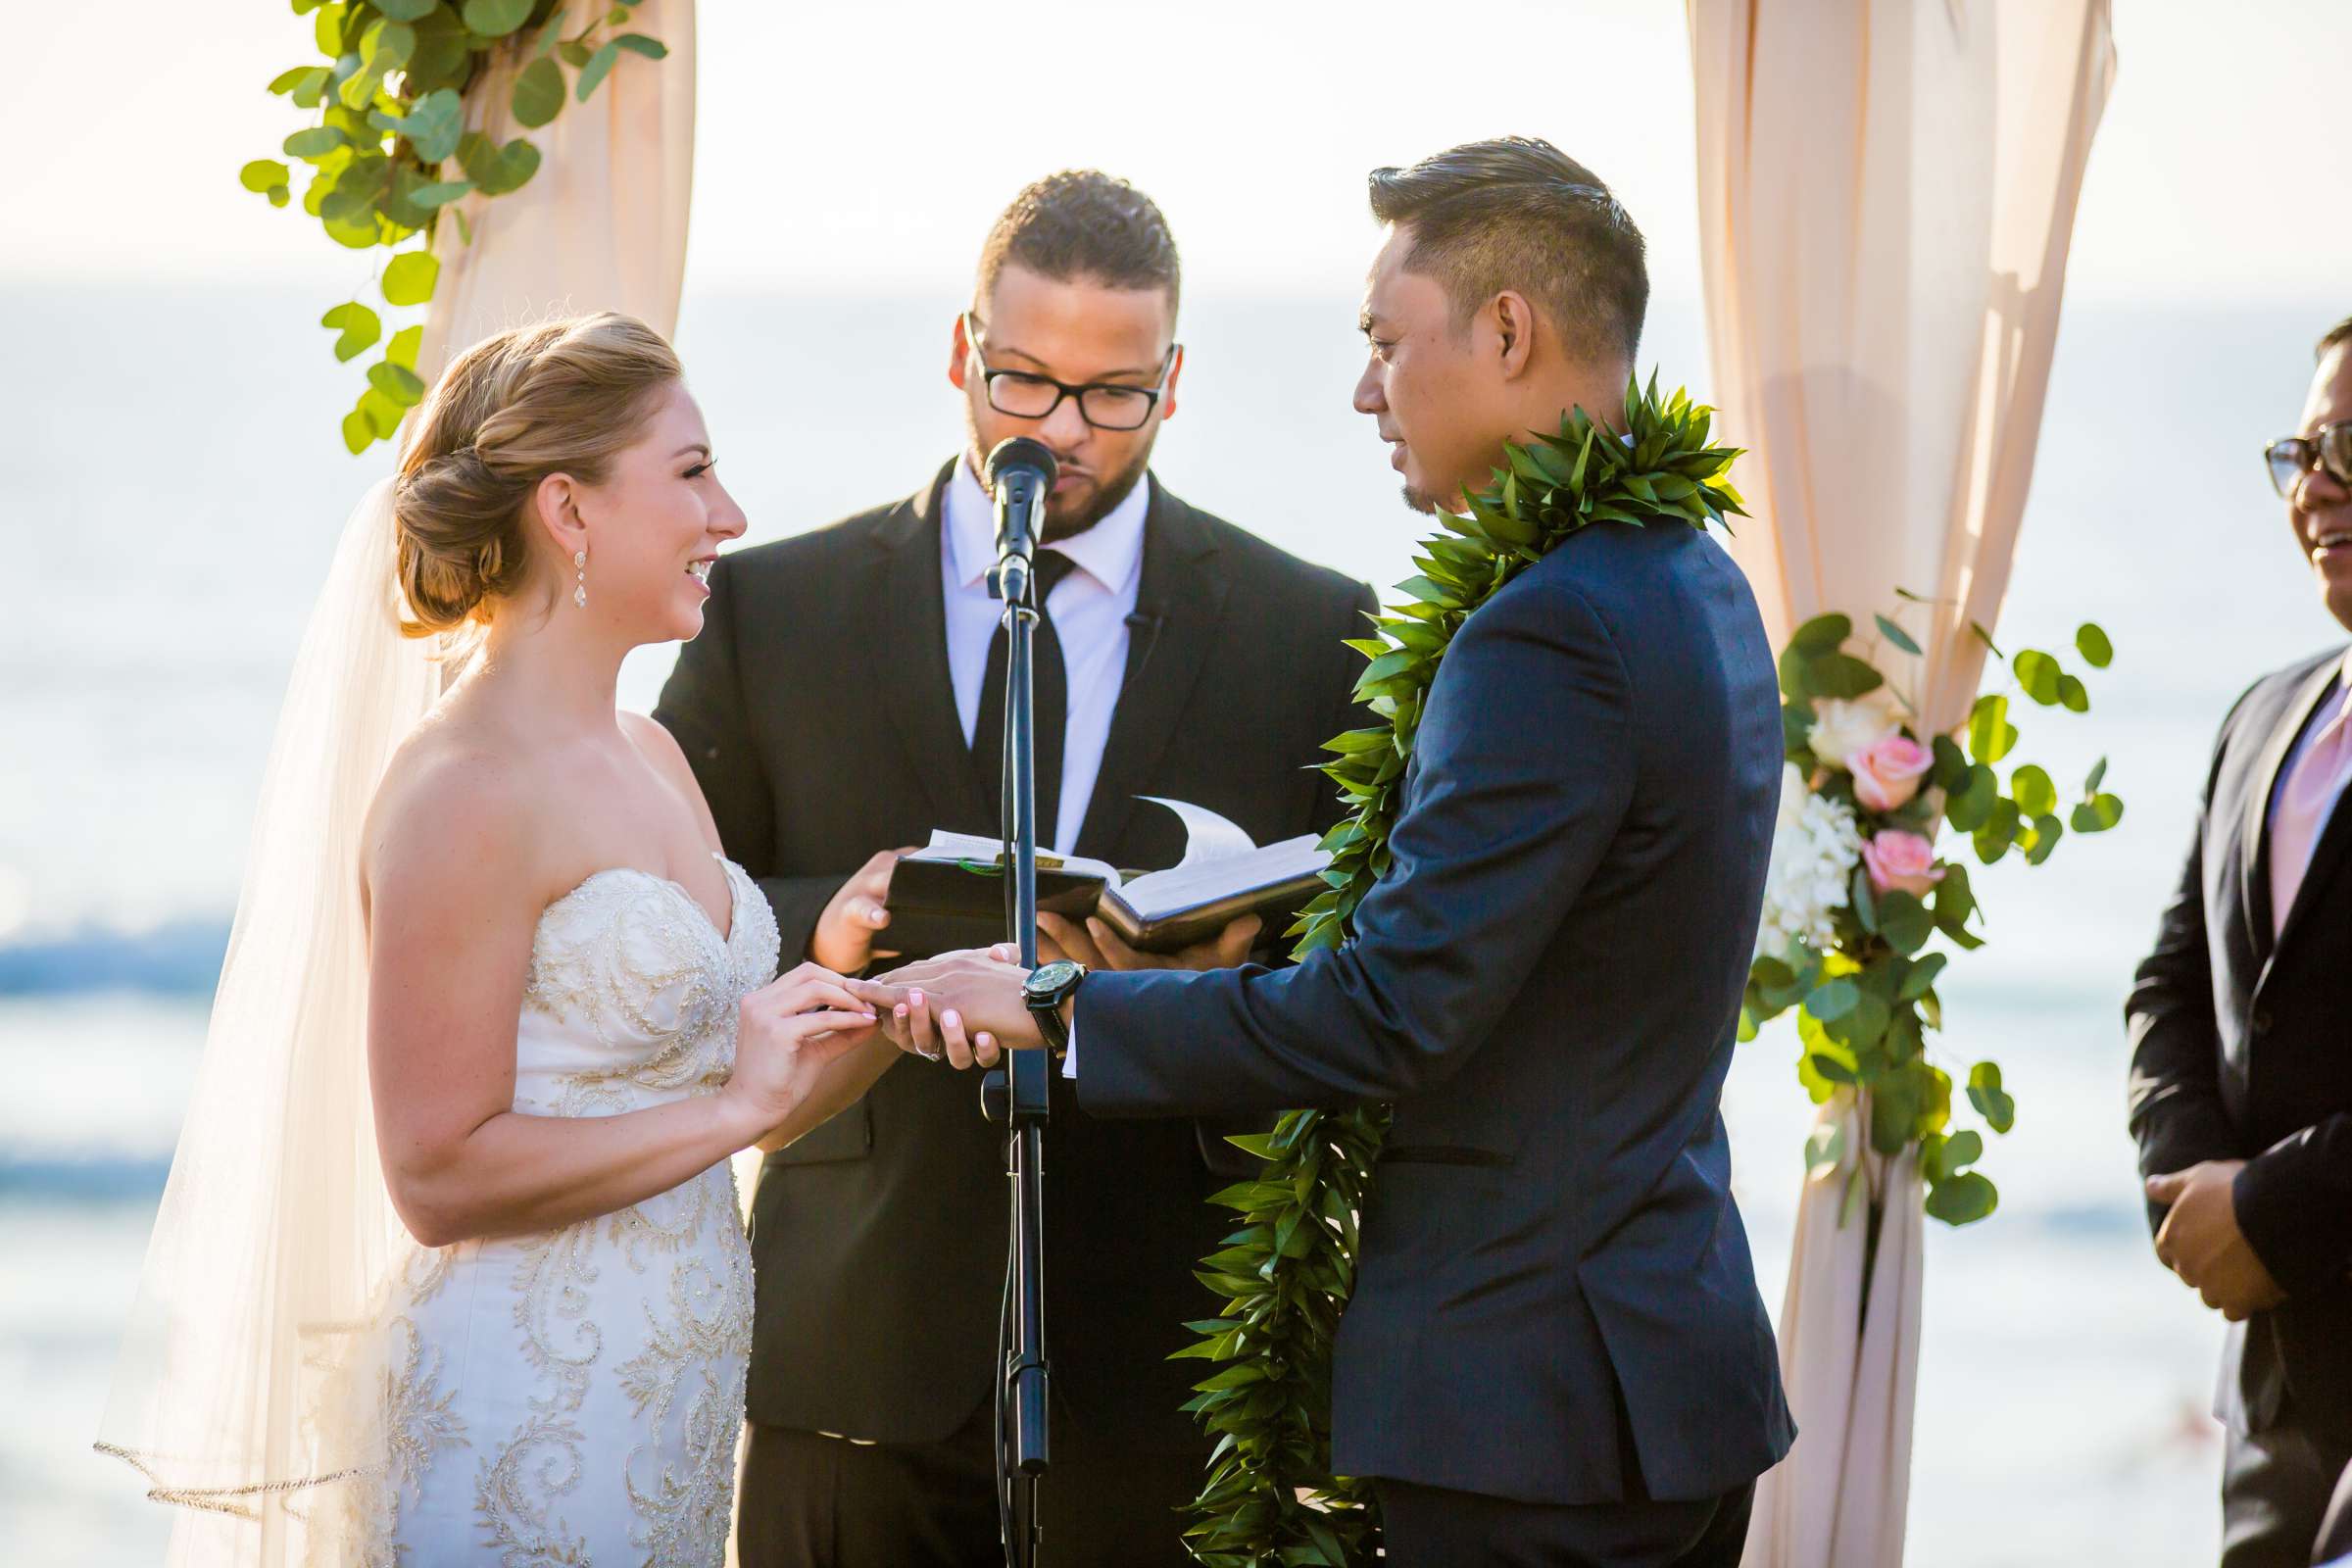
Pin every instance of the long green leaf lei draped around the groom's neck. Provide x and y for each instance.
(1288, 1273)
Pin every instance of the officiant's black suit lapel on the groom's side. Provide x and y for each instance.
(1177, 610)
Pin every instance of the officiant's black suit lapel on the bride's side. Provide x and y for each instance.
(911, 657)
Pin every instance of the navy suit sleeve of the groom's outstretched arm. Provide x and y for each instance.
(1525, 775)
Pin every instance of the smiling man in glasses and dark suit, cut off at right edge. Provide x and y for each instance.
(2243, 1040)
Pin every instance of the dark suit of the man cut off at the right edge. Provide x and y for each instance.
(2243, 1050)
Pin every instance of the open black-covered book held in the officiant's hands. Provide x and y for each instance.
(951, 892)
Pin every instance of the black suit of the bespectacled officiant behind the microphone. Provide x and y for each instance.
(820, 718)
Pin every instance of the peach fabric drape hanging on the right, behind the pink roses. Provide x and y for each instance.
(1887, 194)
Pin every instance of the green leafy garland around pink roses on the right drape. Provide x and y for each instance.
(1862, 981)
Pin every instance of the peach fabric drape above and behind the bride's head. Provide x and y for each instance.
(603, 225)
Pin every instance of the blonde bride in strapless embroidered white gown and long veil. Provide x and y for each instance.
(450, 1266)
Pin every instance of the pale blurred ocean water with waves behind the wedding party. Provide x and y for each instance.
(171, 488)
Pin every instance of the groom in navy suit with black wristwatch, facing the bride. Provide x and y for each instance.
(1556, 1348)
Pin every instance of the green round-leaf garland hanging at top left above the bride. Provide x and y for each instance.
(392, 116)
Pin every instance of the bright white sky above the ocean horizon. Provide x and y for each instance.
(867, 147)
